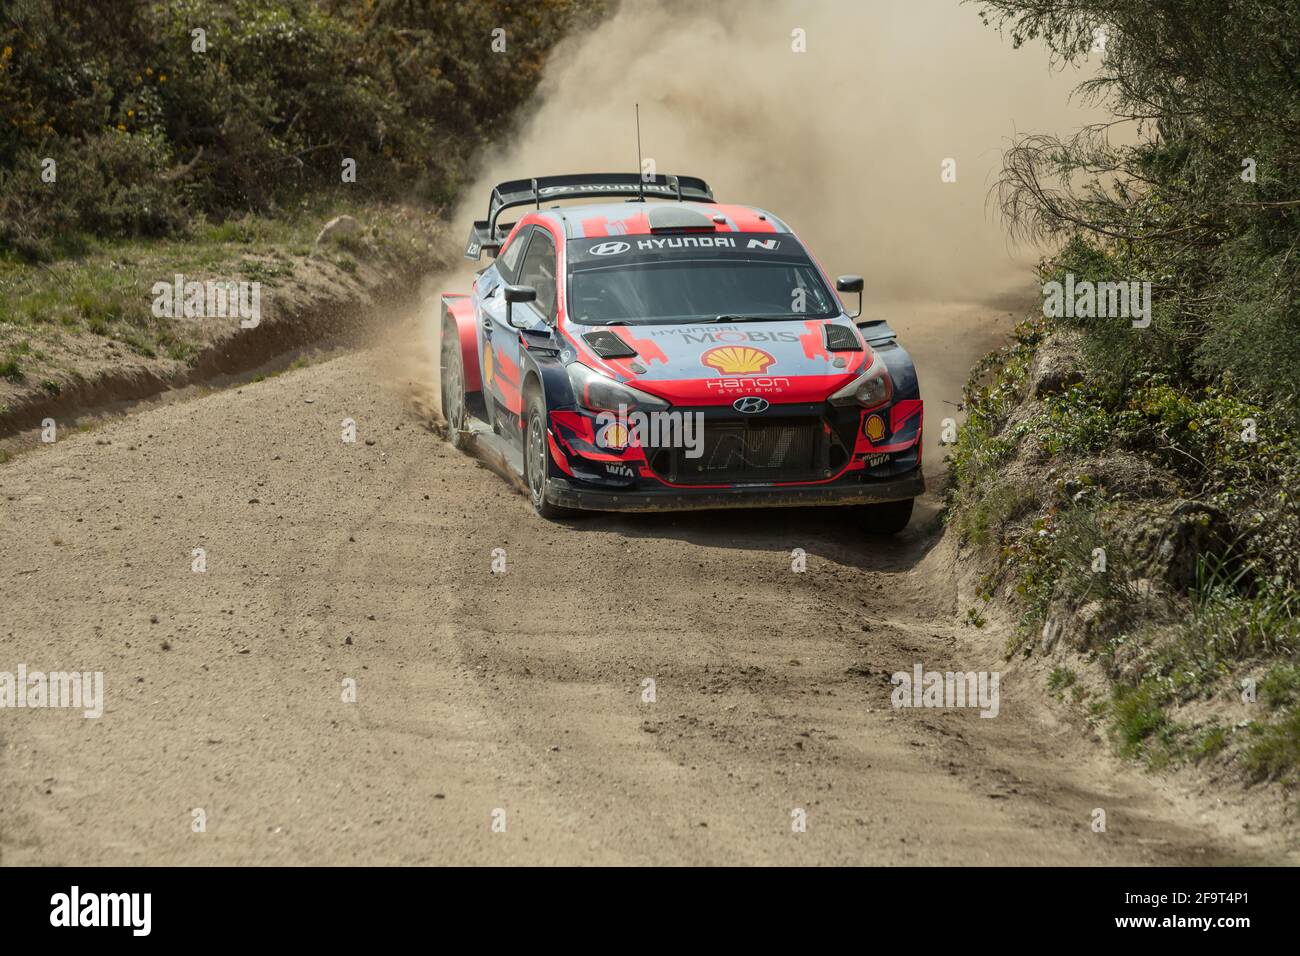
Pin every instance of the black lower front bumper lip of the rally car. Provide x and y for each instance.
(569, 495)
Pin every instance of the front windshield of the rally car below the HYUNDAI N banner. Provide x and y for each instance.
(687, 284)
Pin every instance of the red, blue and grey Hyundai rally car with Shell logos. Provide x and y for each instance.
(671, 353)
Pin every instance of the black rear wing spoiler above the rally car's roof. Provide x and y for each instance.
(508, 196)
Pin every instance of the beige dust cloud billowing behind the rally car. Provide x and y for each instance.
(846, 142)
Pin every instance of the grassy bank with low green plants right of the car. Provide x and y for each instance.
(1160, 643)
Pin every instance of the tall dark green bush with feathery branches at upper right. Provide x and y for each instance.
(1203, 201)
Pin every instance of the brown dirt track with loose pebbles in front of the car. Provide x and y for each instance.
(521, 691)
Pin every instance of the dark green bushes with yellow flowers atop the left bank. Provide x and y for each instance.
(150, 135)
